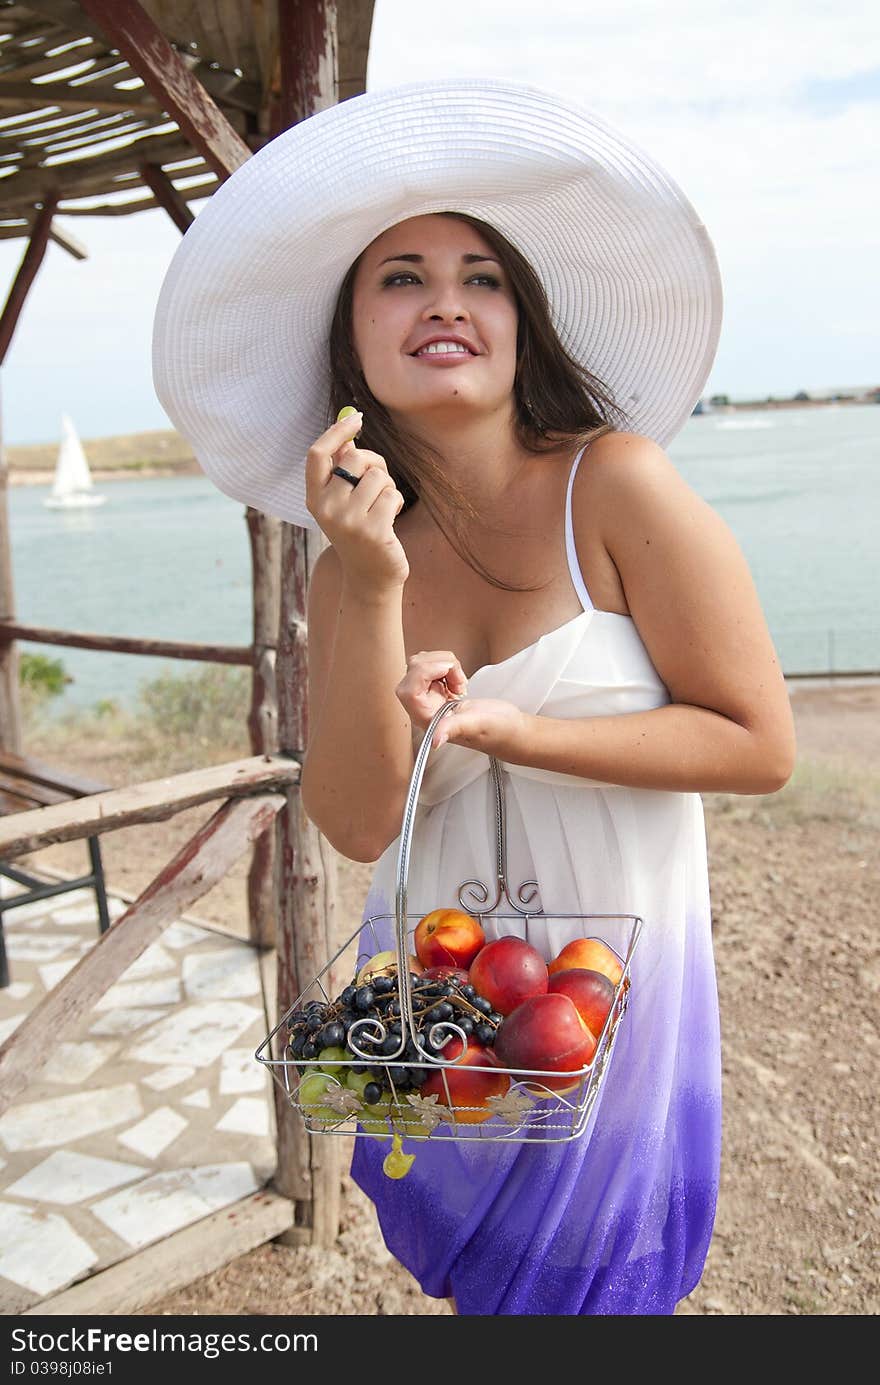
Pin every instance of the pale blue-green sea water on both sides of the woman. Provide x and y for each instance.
(170, 559)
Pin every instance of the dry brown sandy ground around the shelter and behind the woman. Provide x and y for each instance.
(795, 886)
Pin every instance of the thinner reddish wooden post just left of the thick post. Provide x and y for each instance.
(265, 537)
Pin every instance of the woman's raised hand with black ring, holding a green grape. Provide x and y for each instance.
(357, 520)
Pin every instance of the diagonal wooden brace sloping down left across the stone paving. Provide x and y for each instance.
(195, 870)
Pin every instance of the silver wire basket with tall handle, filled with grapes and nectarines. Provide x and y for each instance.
(403, 1052)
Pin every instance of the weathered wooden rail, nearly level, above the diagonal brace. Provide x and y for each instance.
(153, 801)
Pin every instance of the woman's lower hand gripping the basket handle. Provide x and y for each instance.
(487, 725)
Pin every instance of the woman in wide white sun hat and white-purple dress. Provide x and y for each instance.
(507, 528)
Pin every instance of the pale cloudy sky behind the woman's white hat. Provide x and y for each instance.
(767, 114)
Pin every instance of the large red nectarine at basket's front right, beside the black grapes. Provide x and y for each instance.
(547, 1033)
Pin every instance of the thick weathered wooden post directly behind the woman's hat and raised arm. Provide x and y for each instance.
(308, 1167)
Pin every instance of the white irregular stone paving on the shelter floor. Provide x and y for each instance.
(149, 1117)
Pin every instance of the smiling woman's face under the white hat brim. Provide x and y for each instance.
(436, 280)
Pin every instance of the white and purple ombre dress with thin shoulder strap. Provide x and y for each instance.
(620, 1219)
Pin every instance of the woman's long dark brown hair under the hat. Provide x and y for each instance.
(558, 401)
